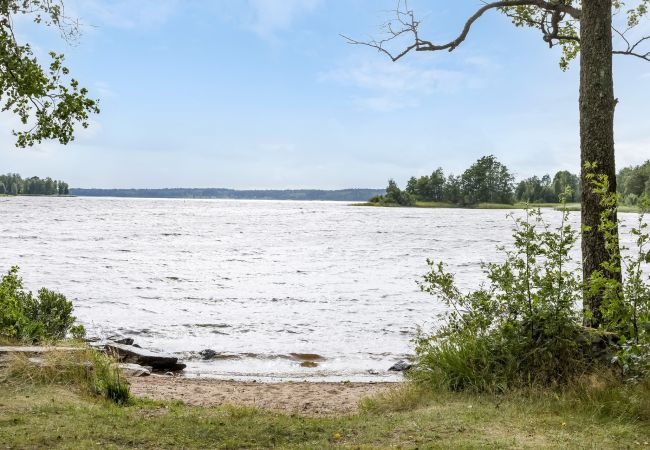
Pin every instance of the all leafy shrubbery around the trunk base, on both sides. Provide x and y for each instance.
(525, 327)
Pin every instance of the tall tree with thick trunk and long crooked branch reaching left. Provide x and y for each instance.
(581, 27)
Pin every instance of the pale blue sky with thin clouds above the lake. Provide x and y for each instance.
(266, 94)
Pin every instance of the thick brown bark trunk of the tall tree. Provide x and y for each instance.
(597, 106)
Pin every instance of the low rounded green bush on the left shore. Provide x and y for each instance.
(48, 316)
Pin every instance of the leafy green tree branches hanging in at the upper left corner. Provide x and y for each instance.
(46, 100)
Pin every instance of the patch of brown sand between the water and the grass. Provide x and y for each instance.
(304, 398)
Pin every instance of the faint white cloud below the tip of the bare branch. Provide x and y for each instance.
(393, 86)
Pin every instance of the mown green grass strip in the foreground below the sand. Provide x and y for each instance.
(36, 413)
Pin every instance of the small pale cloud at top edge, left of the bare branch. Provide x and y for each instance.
(272, 16)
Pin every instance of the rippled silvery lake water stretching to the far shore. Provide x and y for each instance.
(260, 282)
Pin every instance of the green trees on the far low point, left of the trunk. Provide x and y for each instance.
(485, 181)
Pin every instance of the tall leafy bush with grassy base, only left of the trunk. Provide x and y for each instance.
(520, 330)
